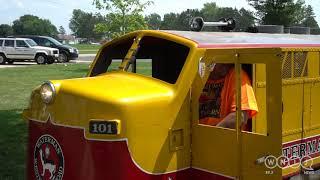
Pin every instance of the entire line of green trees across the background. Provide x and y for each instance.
(123, 16)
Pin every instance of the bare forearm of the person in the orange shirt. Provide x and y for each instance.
(230, 120)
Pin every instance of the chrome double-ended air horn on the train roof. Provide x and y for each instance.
(197, 24)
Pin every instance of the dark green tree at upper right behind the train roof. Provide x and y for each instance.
(279, 12)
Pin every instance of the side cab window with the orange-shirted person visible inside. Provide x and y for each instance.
(217, 102)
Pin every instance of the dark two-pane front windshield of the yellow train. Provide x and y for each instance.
(162, 59)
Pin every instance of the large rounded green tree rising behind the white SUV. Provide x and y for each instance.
(33, 25)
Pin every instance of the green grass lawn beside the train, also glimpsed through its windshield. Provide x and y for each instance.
(16, 85)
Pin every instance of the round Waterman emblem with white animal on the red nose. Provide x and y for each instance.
(48, 159)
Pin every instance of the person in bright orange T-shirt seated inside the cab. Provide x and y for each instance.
(218, 99)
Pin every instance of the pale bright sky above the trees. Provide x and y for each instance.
(59, 12)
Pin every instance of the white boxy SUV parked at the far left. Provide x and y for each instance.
(12, 49)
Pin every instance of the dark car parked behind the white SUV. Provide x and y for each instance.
(66, 53)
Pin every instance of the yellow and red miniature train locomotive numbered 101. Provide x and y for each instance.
(138, 114)
